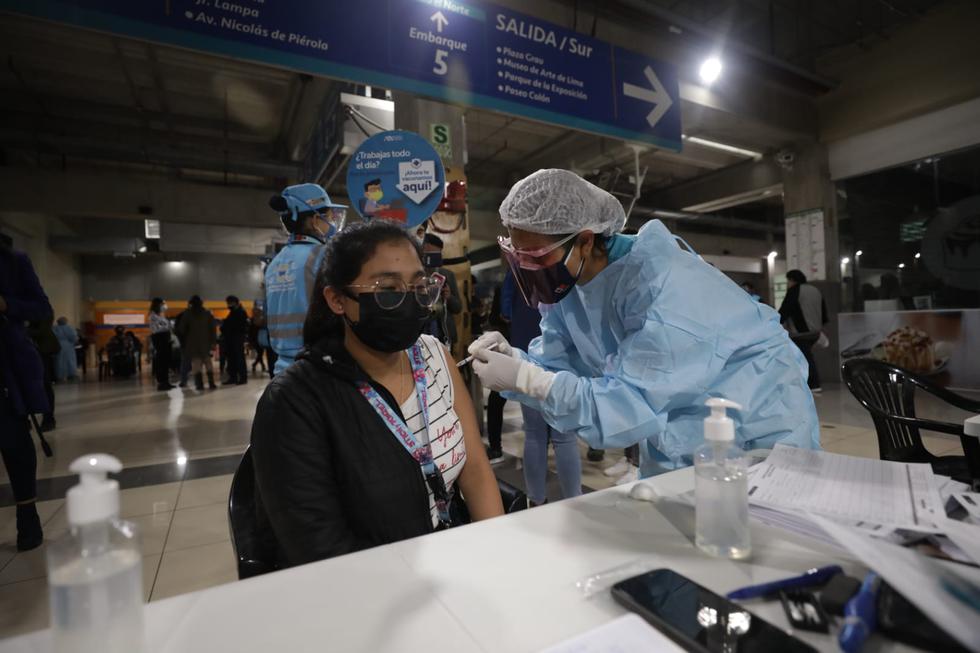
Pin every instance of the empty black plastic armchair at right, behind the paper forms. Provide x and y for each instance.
(888, 393)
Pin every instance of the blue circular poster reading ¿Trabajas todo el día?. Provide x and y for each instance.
(396, 175)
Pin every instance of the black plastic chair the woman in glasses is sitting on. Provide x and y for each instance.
(255, 547)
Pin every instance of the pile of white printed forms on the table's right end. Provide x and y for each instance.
(868, 507)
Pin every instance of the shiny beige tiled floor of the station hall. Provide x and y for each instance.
(179, 448)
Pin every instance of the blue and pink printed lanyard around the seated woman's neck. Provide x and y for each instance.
(419, 448)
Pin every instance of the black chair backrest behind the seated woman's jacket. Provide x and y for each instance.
(255, 554)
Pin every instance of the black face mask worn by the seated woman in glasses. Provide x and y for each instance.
(388, 329)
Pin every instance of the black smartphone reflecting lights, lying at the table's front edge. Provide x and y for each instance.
(698, 619)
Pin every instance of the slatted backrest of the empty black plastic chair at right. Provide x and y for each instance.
(887, 391)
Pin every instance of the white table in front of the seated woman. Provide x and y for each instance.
(507, 584)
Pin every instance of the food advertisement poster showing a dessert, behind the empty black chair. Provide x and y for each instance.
(942, 346)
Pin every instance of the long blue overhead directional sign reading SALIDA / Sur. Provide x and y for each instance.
(471, 53)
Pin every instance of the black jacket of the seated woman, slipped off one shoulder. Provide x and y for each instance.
(330, 477)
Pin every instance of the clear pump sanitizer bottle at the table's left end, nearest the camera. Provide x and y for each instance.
(95, 570)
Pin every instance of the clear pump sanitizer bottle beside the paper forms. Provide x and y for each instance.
(721, 487)
